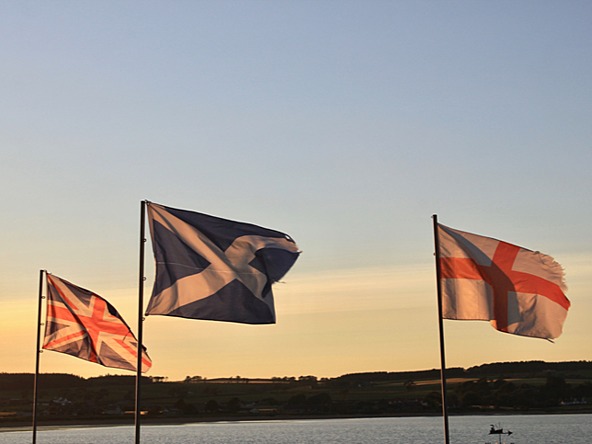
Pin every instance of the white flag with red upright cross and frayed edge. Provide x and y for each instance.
(518, 290)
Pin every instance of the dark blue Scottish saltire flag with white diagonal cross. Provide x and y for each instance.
(215, 269)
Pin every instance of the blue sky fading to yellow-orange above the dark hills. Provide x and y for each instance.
(346, 124)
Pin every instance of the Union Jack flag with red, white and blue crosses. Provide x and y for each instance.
(83, 324)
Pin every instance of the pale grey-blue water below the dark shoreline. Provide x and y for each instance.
(535, 429)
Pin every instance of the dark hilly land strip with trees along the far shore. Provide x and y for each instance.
(505, 387)
